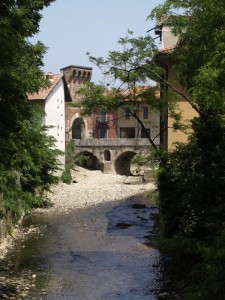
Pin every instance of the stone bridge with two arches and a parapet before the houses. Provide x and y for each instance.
(111, 155)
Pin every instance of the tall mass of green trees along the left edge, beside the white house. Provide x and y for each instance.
(27, 155)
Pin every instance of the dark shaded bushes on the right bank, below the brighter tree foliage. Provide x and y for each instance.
(192, 210)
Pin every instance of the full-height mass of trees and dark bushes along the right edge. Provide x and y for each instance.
(192, 190)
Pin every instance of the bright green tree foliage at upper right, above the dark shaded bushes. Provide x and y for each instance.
(200, 50)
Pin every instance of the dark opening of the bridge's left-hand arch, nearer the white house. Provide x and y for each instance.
(88, 160)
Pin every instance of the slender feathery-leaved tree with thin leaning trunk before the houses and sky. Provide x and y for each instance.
(129, 74)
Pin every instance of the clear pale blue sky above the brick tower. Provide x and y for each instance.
(71, 28)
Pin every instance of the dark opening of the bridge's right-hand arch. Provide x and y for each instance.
(123, 163)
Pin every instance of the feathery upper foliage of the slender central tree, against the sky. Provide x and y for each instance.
(123, 67)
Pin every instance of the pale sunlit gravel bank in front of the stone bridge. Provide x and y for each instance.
(93, 187)
